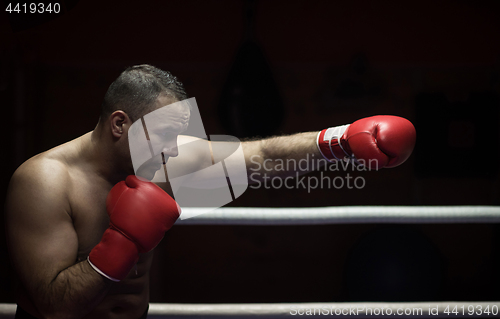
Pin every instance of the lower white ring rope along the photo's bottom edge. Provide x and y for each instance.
(441, 309)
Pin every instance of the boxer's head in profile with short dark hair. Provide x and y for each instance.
(138, 91)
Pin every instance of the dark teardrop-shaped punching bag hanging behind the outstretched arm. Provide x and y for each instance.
(250, 103)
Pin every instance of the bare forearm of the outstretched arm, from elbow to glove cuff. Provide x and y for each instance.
(283, 155)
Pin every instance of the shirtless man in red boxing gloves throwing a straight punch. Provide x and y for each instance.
(80, 253)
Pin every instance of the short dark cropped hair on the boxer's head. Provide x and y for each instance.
(136, 89)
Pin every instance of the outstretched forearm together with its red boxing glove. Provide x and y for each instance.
(374, 142)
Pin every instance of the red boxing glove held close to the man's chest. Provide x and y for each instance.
(140, 213)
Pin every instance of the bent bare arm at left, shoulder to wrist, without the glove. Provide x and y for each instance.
(43, 243)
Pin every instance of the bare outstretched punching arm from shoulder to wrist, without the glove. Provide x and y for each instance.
(260, 158)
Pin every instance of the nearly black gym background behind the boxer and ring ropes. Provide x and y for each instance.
(325, 63)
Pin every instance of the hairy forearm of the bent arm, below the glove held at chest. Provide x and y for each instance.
(73, 293)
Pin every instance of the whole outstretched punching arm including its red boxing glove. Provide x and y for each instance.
(374, 142)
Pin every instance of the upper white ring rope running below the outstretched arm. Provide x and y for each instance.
(343, 215)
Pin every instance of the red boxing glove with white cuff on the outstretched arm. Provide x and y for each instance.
(376, 142)
